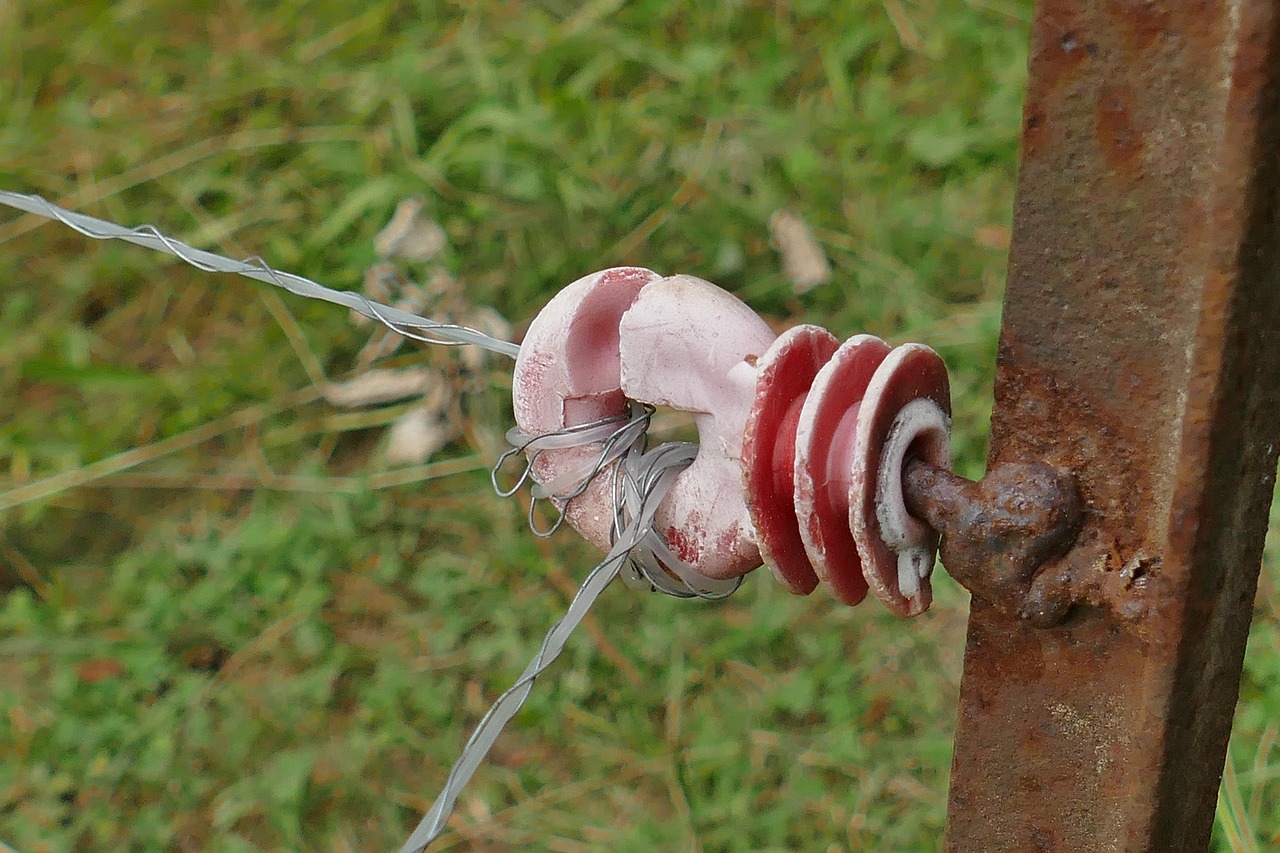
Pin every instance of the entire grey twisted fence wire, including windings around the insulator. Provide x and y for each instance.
(642, 480)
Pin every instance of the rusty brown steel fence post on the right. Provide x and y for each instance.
(1140, 354)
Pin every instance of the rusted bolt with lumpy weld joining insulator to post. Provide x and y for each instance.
(999, 532)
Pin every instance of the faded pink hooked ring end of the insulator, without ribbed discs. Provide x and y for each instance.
(680, 343)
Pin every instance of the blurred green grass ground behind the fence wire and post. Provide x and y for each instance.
(254, 640)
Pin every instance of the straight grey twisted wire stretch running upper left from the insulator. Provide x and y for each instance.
(401, 322)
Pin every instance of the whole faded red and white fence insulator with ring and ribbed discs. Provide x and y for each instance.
(802, 440)
